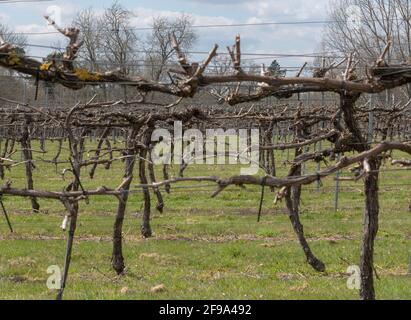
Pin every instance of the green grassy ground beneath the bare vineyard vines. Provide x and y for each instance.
(203, 248)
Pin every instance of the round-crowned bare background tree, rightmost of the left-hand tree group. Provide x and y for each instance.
(159, 43)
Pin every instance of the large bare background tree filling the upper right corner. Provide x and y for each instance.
(364, 27)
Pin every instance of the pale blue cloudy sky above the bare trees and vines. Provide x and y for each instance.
(273, 39)
